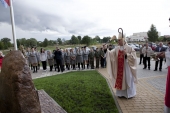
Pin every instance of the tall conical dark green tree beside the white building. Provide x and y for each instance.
(152, 34)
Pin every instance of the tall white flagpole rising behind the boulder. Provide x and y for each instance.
(13, 24)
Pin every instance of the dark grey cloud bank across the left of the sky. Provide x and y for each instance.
(35, 20)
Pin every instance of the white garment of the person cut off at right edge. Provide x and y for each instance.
(167, 56)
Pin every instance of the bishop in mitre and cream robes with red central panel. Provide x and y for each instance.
(121, 67)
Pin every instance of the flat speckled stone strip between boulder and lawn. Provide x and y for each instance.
(48, 105)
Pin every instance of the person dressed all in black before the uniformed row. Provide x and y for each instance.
(58, 58)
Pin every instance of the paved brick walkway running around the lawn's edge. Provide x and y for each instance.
(150, 90)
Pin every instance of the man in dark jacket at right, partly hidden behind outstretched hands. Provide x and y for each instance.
(160, 48)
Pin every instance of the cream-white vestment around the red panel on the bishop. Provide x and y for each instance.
(129, 89)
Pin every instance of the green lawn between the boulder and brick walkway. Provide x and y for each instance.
(79, 92)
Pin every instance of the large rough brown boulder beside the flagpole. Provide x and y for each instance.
(17, 91)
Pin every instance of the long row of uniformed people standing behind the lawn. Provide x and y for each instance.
(66, 59)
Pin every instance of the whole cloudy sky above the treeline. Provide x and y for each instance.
(63, 18)
